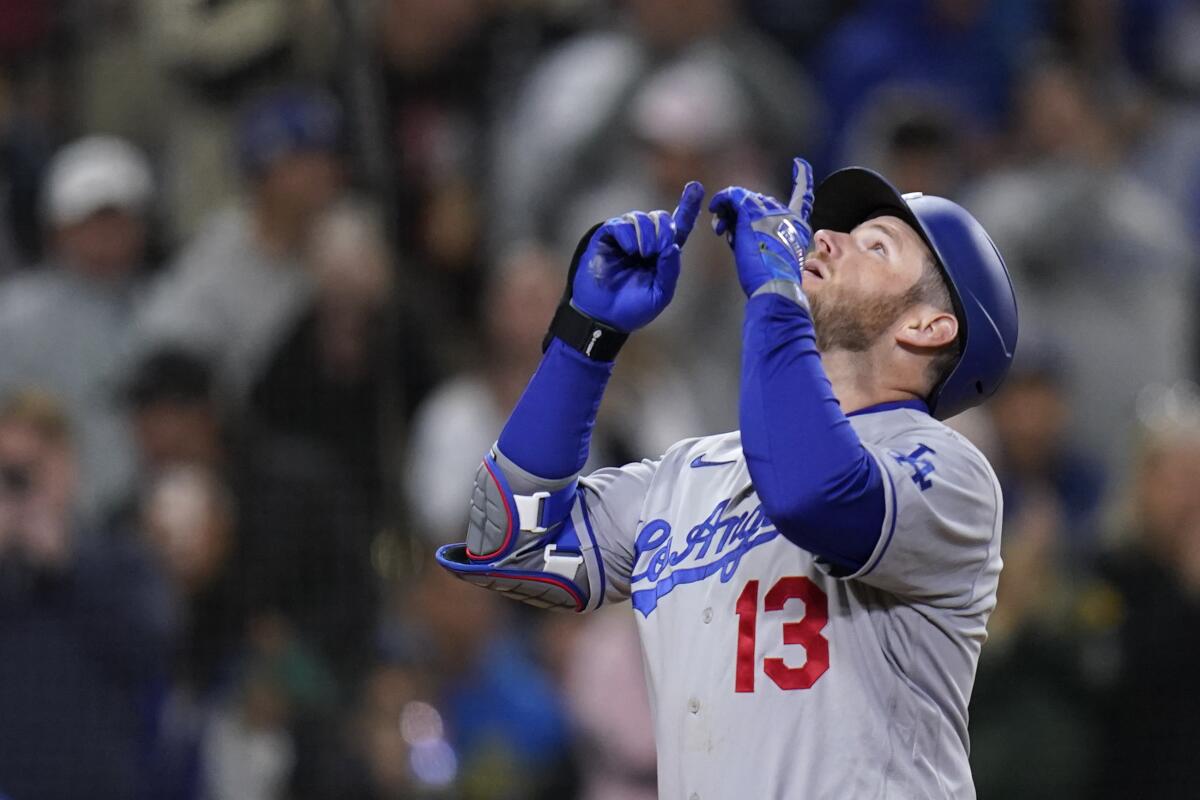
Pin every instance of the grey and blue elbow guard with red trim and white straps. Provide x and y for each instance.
(536, 548)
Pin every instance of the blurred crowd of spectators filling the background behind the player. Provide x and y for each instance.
(274, 272)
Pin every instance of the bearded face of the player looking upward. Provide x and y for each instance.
(859, 282)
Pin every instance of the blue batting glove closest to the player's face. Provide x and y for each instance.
(769, 239)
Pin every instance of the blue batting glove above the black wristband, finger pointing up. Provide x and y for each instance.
(628, 273)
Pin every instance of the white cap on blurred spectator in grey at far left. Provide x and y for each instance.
(95, 173)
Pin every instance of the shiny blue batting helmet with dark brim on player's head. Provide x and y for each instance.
(975, 273)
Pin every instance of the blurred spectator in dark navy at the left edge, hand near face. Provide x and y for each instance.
(83, 627)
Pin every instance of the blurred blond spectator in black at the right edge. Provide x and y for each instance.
(1153, 721)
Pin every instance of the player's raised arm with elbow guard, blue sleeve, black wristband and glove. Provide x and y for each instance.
(529, 533)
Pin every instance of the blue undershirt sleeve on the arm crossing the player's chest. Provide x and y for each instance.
(817, 482)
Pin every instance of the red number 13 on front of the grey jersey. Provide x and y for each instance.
(806, 633)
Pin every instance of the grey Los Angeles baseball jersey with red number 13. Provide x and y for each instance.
(770, 675)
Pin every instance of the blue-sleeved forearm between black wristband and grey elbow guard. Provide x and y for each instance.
(550, 430)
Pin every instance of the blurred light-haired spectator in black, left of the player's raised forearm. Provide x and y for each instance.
(352, 357)
